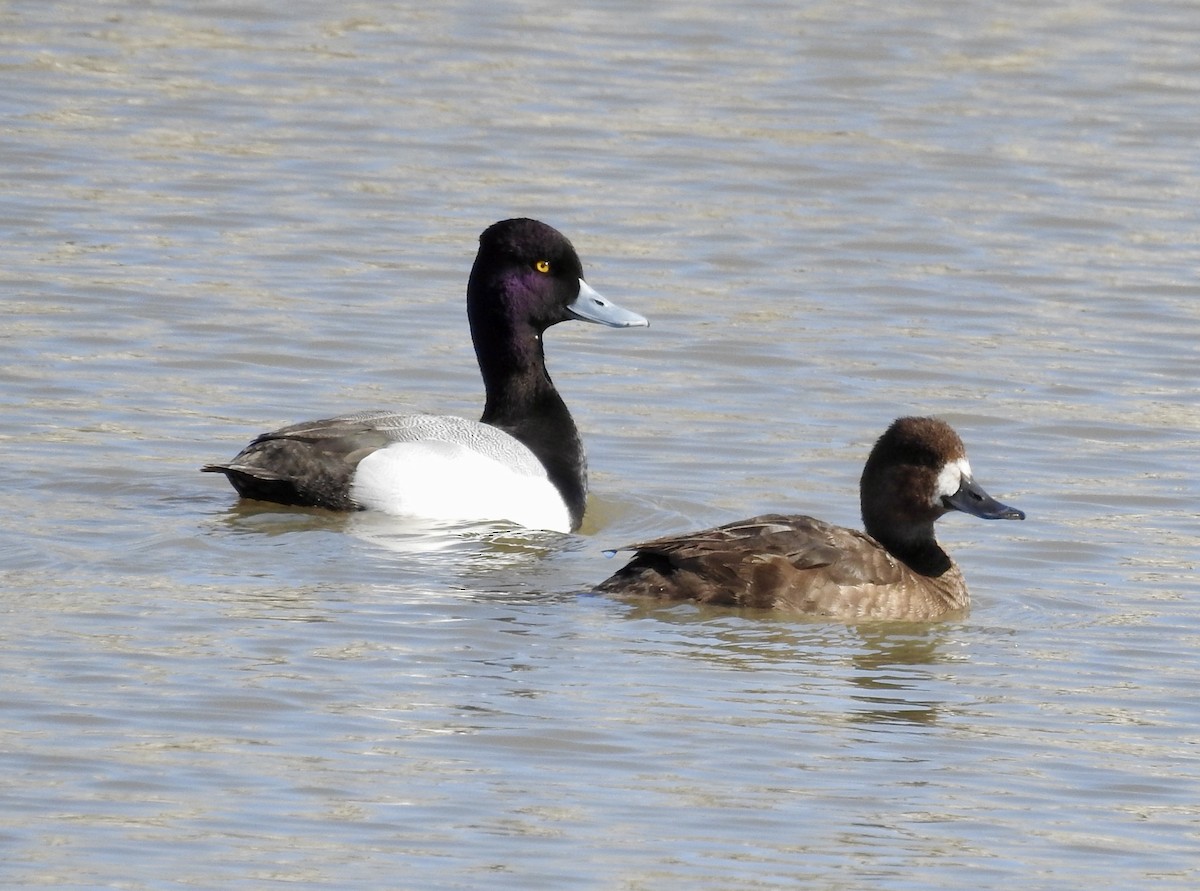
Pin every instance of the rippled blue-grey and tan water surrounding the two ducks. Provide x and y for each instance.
(224, 218)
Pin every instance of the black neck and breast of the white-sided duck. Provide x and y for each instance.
(523, 402)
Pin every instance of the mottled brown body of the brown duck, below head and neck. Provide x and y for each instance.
(795, 564)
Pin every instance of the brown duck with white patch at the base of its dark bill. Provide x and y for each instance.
(896, 571)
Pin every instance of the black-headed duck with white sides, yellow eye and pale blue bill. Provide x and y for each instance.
(523, 463)
